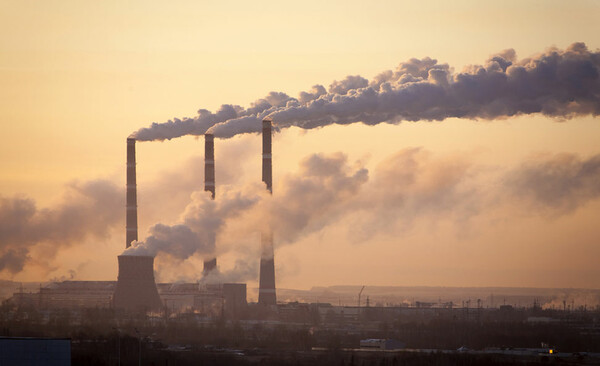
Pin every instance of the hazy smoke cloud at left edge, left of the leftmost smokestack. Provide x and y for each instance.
(88, 209)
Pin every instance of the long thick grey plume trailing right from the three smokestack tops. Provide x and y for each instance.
(556, 83)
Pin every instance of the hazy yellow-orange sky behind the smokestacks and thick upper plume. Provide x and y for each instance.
(511, 202)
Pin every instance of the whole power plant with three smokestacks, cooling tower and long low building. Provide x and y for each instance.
(136, 289)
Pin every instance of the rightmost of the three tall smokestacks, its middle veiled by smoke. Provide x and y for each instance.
(266, 289)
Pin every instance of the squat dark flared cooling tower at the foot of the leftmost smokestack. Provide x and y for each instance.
(136, 289)
